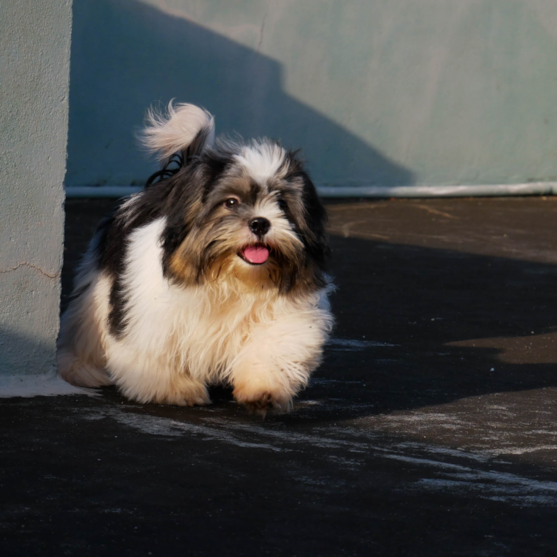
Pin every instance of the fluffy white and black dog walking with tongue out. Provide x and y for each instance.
(214, 274)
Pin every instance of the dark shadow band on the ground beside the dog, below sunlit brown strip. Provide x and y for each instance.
(411, 327)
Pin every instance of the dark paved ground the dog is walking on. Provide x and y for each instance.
(430, 430)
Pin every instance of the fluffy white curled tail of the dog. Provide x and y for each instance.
(185, 129)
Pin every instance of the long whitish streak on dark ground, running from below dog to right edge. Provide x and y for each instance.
(438, 468)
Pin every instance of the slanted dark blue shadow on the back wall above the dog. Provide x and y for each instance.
(127, 55)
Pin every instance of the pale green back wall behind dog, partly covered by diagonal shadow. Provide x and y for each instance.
(375, 91)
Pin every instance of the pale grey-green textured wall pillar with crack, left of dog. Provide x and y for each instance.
(34, 70)
